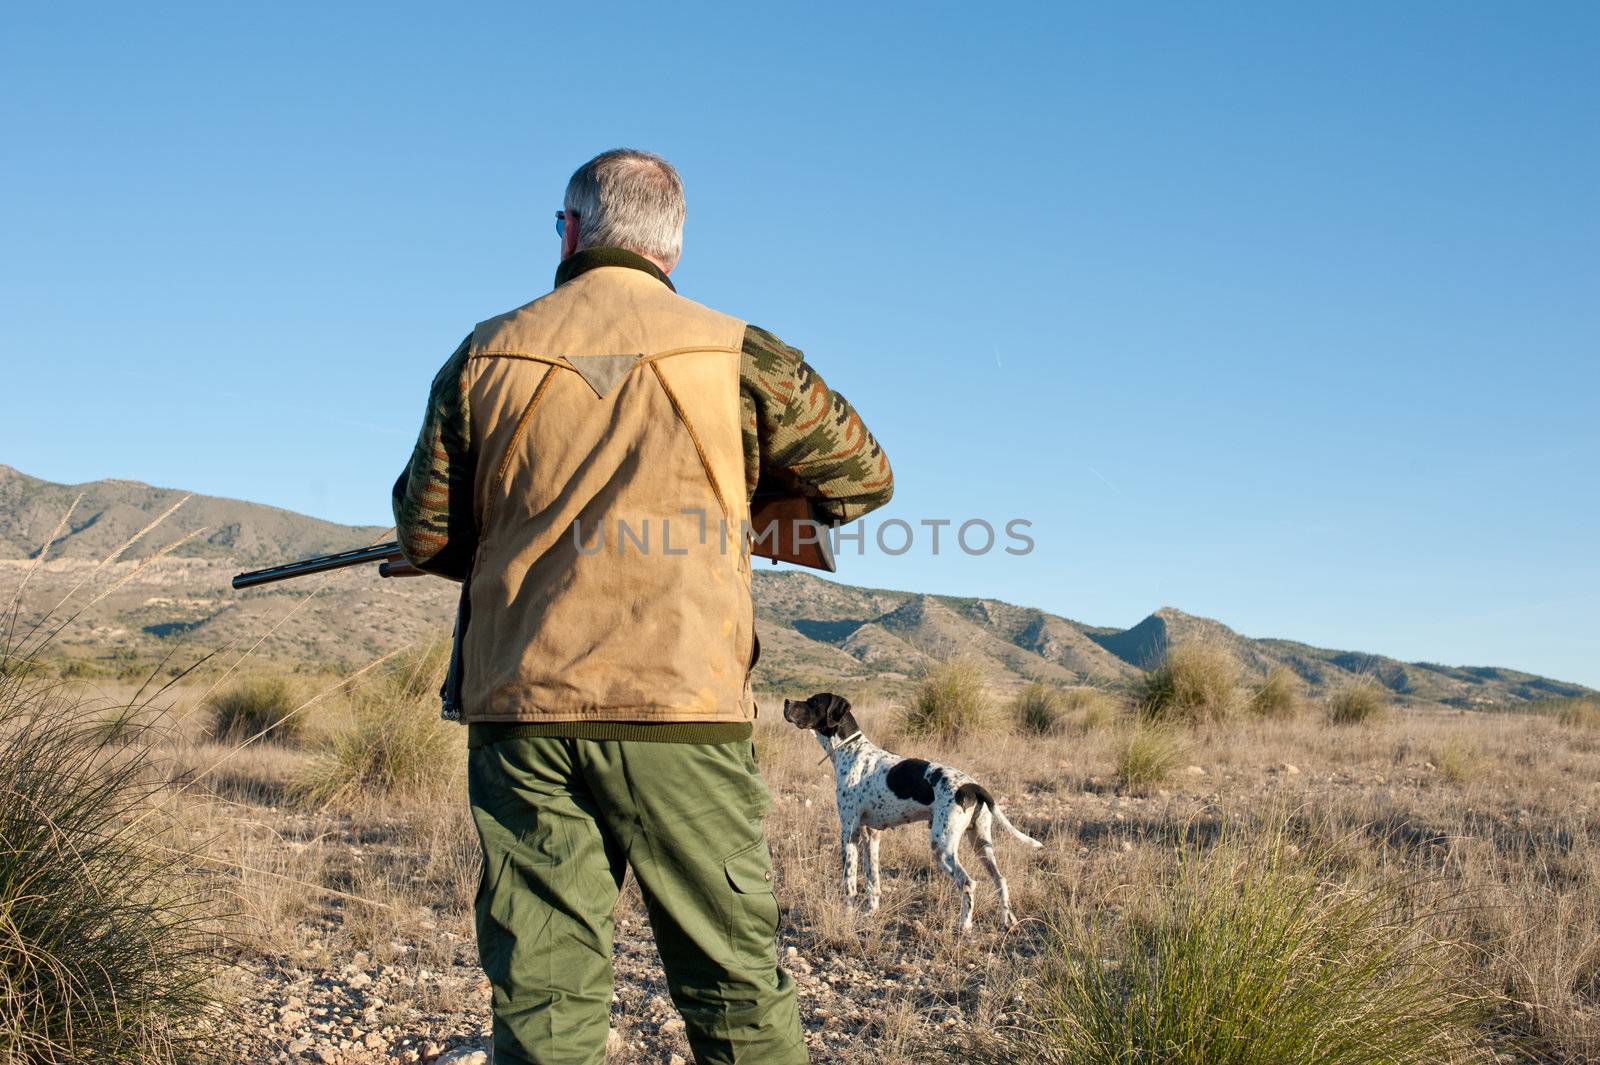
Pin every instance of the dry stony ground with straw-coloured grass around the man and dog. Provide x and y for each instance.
(354, 938)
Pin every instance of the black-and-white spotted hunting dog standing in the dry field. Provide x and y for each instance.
(879, 791)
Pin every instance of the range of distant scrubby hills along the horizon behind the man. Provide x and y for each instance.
(814, 632)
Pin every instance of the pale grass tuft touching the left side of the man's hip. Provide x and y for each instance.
(391, 743)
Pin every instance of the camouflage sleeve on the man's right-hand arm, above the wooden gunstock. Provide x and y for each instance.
(807, 437)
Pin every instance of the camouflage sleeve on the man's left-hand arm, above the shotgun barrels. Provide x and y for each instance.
(433, 500)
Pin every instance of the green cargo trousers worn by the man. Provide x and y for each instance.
(561, 823)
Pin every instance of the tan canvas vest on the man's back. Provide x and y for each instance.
(612, 402)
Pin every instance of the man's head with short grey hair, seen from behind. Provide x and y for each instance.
(630, 199)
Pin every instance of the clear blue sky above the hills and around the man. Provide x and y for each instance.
(1279, 314)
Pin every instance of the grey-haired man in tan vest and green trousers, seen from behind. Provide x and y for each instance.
(586, 466)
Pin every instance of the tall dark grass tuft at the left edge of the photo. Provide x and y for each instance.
(106, 936)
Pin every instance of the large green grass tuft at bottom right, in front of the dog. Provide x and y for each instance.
(1250, 955)
